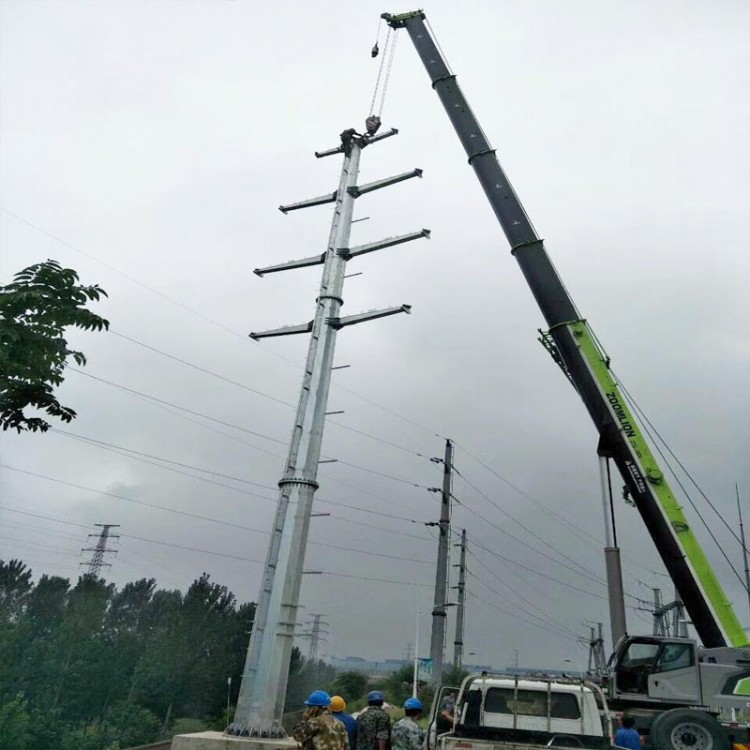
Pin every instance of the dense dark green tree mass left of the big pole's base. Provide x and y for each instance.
(90, 667)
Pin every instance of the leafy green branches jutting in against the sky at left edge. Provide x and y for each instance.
(35, 309)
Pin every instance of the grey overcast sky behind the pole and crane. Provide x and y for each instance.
(148, 145)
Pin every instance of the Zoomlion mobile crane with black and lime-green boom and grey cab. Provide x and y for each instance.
(671, 686)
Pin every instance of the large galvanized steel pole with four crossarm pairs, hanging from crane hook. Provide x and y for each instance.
(260, 705)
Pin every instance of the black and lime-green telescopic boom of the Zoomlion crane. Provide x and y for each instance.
(576, 349)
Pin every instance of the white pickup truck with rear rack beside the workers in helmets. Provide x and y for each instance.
(514, 712)
